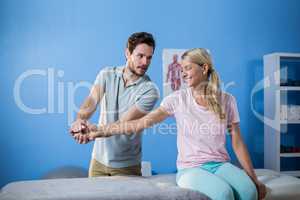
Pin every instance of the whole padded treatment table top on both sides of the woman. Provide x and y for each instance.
(161, 187)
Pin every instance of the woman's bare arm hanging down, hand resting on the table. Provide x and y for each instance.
(242, 154)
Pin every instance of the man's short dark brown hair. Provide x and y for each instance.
(140, 38)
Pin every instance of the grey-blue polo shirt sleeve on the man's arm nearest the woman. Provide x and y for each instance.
(147, 100)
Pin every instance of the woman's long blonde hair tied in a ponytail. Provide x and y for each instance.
(212, 92)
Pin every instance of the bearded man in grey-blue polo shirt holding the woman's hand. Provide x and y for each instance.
(126, 93)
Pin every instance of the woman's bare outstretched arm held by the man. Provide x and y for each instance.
(129, 127)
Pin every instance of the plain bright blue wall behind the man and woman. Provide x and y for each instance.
(80, 37)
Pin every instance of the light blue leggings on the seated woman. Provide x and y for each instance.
(218, 181)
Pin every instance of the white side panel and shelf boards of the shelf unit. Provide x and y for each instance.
(272, 105)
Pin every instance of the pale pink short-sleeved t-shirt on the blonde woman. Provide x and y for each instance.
(201, 135)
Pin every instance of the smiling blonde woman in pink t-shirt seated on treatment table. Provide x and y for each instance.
(202, 113)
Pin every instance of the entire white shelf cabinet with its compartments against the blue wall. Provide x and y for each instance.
(282, 112)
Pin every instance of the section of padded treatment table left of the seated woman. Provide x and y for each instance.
(160, 187)
